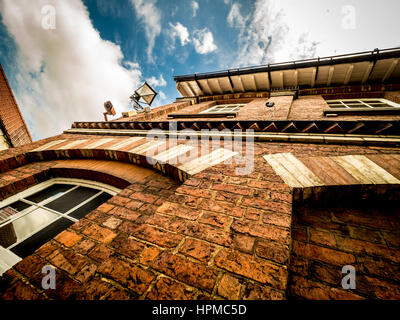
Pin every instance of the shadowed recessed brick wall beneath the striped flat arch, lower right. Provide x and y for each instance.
(330, 236)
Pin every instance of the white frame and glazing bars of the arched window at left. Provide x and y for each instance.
(8, 257)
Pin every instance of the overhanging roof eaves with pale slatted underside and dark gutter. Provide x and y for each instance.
(378, 66)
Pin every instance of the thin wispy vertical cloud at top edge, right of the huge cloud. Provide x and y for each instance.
(148, 13)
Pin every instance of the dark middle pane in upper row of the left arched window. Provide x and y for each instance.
(71, 199)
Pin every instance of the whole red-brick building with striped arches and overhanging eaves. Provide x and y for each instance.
(219, 195)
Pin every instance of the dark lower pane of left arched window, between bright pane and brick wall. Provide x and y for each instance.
(28, 246)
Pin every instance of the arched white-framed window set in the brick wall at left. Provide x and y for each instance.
(35, 216)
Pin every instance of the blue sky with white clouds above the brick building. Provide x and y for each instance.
(64, 59)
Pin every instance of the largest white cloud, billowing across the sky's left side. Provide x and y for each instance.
(66, 74)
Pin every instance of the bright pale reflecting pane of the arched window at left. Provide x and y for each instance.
(25, 226)
